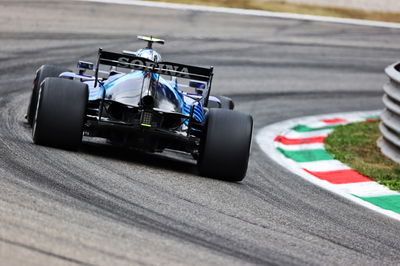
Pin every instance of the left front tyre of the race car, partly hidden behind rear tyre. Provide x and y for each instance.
(42, 73)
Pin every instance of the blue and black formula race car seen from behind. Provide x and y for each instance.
(133, 99)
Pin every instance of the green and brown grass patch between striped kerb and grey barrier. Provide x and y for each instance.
(355, 145)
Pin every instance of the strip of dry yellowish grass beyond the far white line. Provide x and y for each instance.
(280, 6)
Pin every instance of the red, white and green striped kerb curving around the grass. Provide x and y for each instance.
(298, 145)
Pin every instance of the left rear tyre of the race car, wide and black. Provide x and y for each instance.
(60, 113)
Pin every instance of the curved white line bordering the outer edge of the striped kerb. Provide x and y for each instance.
(265, 139)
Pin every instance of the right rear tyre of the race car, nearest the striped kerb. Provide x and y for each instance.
(225, 148)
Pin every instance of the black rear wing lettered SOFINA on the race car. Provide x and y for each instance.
(163, 68)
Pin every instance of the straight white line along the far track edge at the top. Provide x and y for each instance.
(250, 12)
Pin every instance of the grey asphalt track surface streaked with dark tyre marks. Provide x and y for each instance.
(104, 206)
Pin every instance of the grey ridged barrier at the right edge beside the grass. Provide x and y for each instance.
(389, 143)
